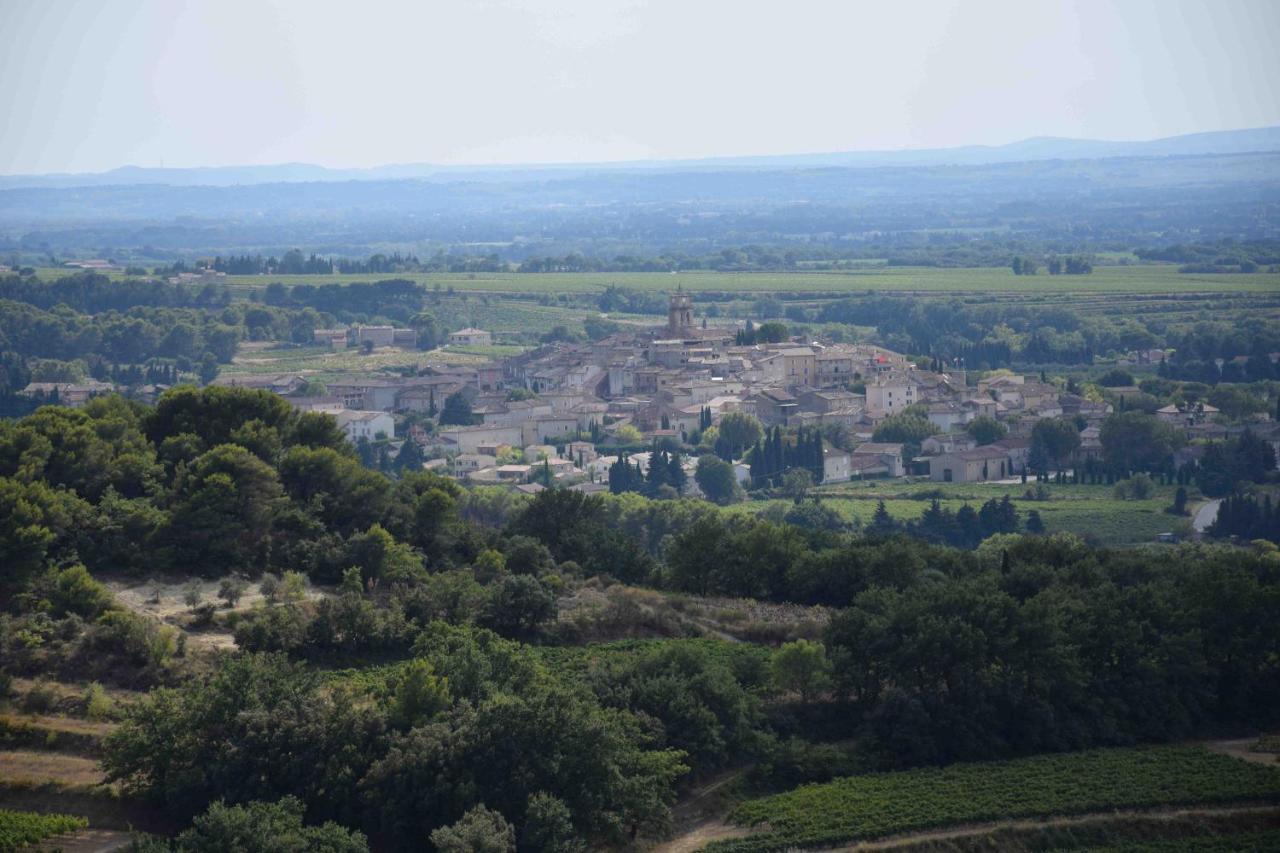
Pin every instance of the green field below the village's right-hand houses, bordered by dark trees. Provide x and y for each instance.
(1071, 509)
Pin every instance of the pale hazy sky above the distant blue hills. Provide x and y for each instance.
(89, 85)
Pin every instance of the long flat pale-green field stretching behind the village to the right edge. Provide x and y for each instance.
(1137, 279)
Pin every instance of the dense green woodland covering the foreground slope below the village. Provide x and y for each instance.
(1026, 644)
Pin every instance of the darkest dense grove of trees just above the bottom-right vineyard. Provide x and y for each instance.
(1089, 678)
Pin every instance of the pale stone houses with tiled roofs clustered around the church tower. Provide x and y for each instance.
(665, 384)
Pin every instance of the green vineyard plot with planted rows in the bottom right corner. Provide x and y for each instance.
(883, 805)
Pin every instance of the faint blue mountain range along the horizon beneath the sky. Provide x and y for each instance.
(1254, 140)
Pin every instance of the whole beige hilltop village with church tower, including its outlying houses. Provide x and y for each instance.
(572, 413)
